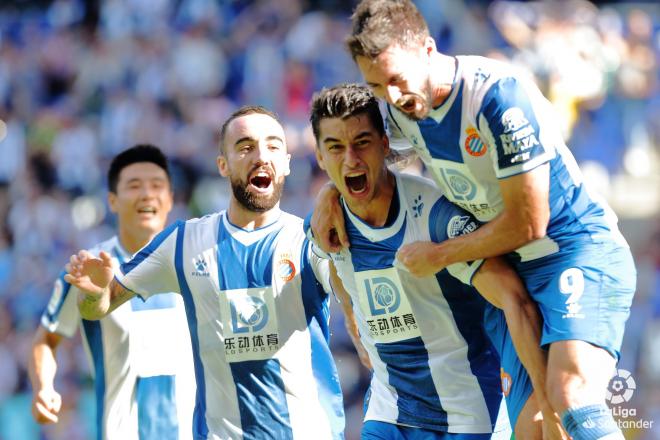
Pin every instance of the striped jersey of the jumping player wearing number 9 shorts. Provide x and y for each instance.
(496, 124)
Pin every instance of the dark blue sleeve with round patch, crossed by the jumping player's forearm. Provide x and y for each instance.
(447, 221)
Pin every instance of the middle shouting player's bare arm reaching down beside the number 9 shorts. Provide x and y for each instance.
(500, 285)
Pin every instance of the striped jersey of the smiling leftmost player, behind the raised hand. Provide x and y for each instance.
(141, 359)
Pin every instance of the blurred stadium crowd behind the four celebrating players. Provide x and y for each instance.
(82, 80)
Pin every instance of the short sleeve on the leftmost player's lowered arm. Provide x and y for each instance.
(61, 315)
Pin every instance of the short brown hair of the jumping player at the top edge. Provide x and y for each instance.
(377, 24)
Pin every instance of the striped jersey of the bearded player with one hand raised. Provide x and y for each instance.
(259, 324)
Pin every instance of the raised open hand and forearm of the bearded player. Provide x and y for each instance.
(99, 293)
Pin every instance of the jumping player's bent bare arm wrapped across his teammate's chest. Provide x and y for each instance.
(524, 218)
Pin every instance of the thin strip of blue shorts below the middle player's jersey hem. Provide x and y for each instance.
(375, 430)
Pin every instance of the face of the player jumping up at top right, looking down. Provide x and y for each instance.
(401, 76)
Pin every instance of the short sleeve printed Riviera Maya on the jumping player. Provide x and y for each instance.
(509, 121)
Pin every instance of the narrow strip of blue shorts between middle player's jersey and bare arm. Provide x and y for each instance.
(516, 384)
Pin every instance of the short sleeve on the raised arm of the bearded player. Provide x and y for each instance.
(152, 269)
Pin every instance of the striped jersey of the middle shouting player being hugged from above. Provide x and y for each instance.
(434, 366)
